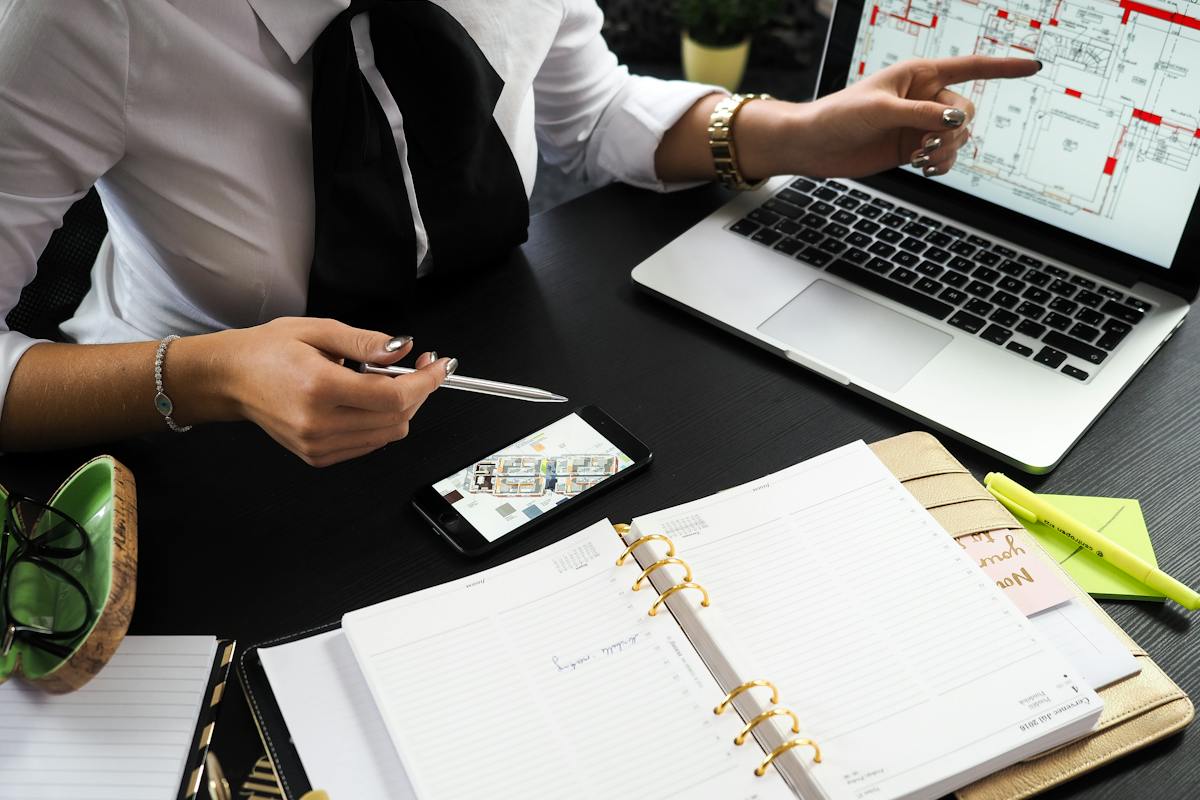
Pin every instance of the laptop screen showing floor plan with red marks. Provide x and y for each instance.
(1105, 142)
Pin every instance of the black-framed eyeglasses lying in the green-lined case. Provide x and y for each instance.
(38, 551)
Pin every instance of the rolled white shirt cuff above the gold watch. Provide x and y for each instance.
(633, 127)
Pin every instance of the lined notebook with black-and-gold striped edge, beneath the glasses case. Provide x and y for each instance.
(137, 731)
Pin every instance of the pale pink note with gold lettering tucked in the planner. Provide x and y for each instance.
(1005, 556)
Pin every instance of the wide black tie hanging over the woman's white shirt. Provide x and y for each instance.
(469, 188)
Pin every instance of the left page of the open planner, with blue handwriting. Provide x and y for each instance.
(547, 678)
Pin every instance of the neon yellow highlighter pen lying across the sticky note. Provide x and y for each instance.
(1029, 508)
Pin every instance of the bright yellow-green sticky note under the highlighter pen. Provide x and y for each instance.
(1118, 519)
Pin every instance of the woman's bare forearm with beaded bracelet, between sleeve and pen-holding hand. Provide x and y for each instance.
(69, 395)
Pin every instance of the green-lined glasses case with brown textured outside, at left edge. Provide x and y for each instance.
(103, 498)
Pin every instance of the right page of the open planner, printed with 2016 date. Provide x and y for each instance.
(907, 665)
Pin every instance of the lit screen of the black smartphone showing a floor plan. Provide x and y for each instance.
(519, 484)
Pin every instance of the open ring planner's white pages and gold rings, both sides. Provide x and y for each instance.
(854, 651)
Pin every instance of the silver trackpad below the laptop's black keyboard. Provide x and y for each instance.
(856, 336)
